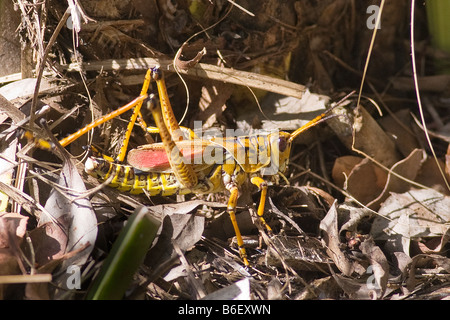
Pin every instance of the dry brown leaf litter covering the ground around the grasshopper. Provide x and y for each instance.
(365, 224)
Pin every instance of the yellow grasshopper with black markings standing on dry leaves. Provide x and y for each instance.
(184, 163)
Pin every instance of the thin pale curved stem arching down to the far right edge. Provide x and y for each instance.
(416, 87)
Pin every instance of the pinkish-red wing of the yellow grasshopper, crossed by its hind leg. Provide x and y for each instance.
(153, 157)
